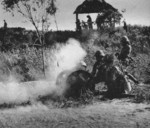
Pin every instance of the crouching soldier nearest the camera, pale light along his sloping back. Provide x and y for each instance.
(115, 79)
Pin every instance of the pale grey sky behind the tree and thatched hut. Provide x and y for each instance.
(137, 12)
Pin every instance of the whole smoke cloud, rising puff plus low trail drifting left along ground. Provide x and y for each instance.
(61, 58)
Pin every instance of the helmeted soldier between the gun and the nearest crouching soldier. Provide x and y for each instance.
(98, 66)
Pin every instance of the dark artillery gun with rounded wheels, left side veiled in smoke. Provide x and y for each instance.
(76, 82)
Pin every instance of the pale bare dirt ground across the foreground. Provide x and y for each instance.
(116, 113)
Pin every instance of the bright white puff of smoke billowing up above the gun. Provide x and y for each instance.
(67, 58)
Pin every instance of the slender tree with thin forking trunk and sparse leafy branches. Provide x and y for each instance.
(38, 12)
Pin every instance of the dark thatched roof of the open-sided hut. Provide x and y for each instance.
(93, 6)
